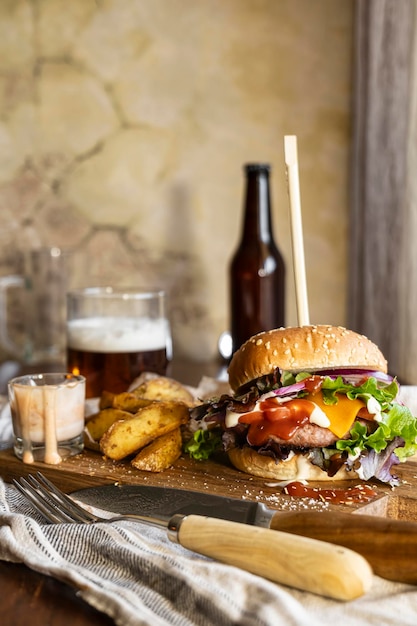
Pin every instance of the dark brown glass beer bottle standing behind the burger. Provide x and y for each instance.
(257, 269)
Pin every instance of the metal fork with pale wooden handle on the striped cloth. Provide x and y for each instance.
(333, 571)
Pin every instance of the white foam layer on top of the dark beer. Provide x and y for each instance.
(118, 334)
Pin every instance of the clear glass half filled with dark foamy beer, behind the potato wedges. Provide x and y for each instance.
(113, 335)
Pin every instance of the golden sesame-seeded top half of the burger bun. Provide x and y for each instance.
(303, 348)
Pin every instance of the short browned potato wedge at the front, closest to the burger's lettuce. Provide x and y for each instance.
(161, 453)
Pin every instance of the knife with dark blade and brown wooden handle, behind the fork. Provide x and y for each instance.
(390, 546)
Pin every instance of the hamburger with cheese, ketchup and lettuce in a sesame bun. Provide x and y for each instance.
(307, 403)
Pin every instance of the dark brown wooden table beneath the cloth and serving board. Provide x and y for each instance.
(27, 597)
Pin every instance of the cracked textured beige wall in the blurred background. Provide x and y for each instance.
(124, 125)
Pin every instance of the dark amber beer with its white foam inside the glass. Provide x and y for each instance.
(112, 352)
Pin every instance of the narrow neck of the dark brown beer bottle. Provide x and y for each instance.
(257, 223)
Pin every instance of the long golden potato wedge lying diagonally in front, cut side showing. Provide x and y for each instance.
(125, 437)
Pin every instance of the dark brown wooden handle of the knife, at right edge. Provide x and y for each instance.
(390, 546)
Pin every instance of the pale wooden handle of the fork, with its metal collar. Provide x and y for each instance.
(299, 562)
